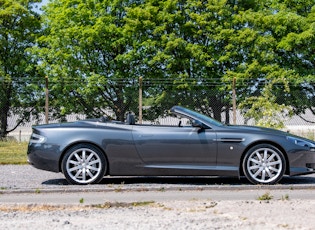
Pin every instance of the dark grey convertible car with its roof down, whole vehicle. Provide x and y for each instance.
(85, 151)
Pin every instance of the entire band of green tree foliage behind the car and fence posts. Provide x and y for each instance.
(94, 52)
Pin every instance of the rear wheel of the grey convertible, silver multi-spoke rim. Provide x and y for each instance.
(84, 164)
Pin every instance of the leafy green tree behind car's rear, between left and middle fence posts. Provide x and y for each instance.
(82, 55)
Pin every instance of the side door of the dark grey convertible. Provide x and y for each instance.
(175, 146)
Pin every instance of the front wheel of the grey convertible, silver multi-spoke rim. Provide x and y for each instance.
(264, 164)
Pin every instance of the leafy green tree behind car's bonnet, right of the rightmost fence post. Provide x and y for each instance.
(281, 47)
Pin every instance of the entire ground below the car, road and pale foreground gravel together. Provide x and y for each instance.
(31, 198)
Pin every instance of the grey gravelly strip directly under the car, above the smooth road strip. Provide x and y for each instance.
(25, 178)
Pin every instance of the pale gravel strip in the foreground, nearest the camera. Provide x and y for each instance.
(191, 214)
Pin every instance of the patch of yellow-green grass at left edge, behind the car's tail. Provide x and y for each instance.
(13, 152)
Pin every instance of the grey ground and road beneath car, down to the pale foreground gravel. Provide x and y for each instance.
(25, 184)
